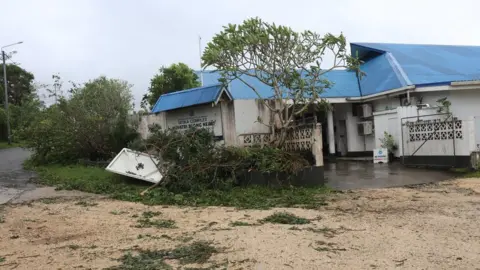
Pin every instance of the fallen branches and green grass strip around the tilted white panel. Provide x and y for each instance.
(198, 173)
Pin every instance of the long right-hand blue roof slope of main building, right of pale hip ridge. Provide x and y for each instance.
(428, 64)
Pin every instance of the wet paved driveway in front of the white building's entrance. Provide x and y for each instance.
(361, 175)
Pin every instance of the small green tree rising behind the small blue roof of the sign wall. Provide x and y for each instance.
(170, 79)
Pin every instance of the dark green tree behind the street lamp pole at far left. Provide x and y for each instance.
(20, 85)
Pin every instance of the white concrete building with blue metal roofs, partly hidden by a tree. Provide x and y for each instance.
(399, 94)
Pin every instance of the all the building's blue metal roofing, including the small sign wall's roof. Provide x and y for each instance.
(387, 66)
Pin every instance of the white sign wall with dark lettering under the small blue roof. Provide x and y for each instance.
(204, 116)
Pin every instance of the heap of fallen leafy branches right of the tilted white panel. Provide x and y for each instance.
(193, 161)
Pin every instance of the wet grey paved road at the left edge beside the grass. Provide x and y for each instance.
(14, 180)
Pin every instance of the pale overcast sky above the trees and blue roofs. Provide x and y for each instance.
(130, 40)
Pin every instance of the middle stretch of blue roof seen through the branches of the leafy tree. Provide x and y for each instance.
(345, 84)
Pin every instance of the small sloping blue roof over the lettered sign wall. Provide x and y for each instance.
(186, 98)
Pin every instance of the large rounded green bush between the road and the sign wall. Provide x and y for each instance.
(93, 124)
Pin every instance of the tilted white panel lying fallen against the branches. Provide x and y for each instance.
(137, 165)
